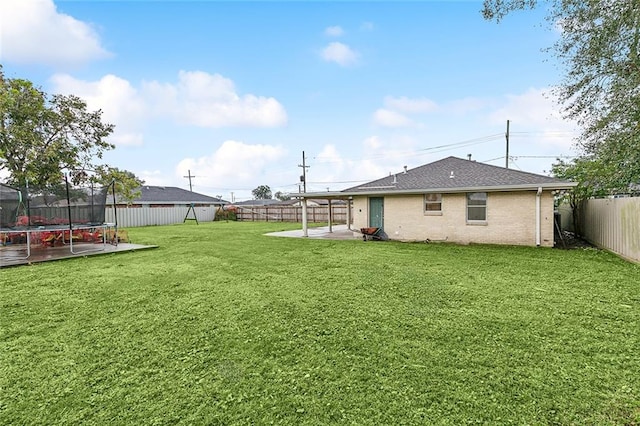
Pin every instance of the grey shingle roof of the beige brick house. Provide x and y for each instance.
(455, 173)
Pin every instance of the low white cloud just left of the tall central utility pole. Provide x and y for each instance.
(234, 161)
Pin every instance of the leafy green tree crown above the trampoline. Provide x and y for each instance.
(43, 135)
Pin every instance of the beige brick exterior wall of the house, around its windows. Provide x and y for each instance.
(511, 219)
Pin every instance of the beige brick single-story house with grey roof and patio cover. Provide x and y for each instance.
(456, 200)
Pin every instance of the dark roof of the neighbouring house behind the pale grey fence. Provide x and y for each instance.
(169, 196)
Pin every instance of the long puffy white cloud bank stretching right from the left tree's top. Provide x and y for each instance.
(197, 99)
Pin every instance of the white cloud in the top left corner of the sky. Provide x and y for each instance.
(33, 31)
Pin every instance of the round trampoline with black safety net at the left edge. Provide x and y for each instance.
(62, 215)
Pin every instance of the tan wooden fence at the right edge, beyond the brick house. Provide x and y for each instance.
(614, 224)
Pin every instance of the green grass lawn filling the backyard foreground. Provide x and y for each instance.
(222, 325)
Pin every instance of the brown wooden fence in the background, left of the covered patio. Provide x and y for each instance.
(291, 214)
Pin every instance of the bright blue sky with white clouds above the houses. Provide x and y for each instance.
(236, 91)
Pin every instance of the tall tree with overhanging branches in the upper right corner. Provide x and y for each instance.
(599, 48)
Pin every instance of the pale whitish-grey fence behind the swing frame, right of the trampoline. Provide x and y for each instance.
(129, 217)
